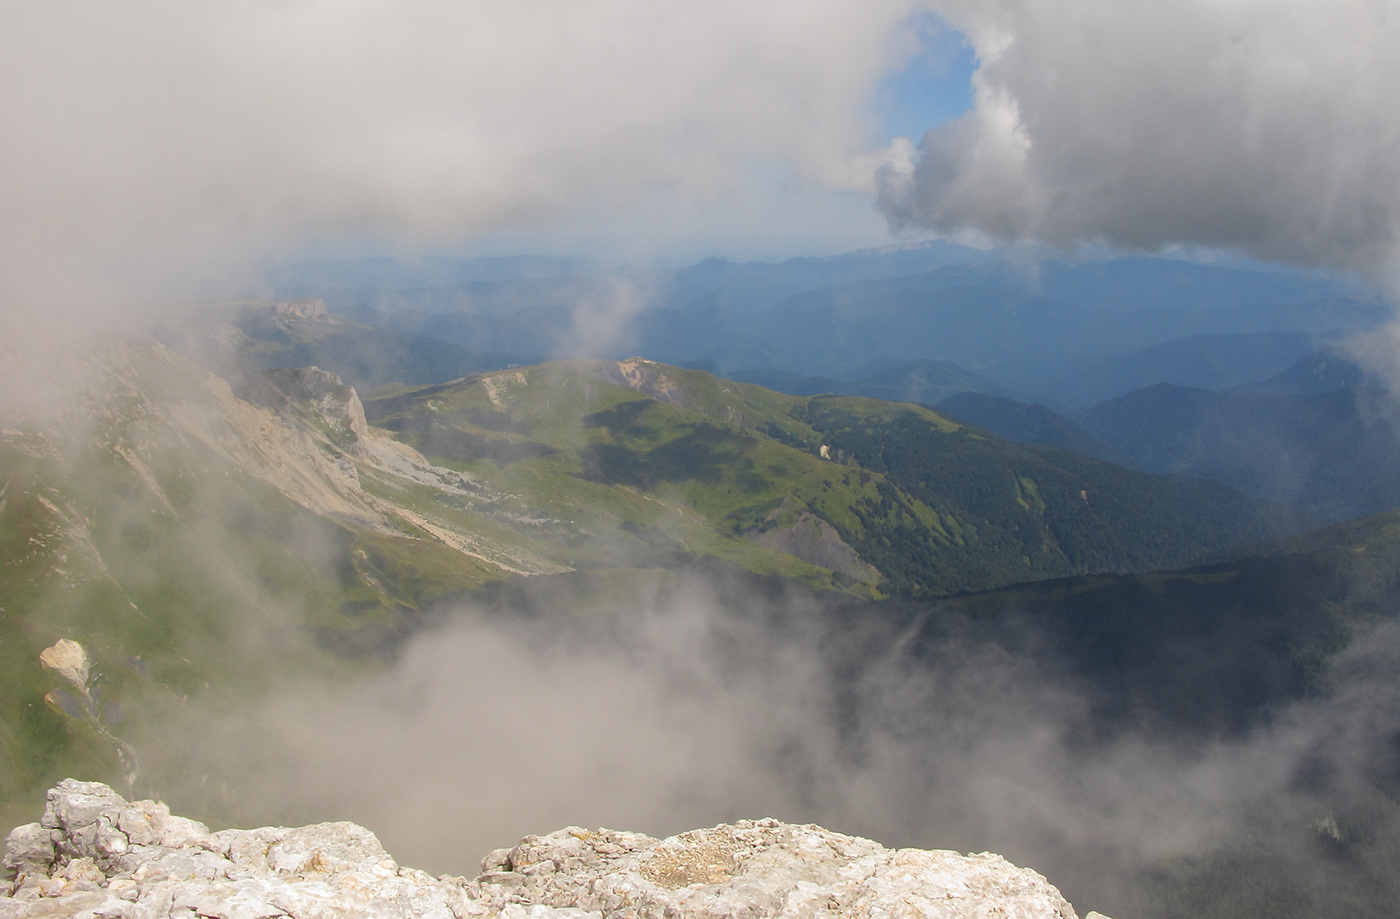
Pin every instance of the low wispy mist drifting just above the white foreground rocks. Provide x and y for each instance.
(696, 705)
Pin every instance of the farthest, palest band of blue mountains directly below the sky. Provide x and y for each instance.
(829, 317)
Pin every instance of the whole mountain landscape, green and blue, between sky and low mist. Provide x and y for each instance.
(254, 491)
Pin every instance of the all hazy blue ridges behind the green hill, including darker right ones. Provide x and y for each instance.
(929, 323)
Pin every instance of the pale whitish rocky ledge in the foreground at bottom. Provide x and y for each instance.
(99, 857)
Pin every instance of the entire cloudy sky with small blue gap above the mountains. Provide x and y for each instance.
(155, 145)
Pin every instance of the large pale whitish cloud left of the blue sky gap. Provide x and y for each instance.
(150, 138)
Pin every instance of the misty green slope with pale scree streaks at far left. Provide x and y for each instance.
(188, 540)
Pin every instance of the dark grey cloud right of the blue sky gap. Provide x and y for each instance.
(1272, 128)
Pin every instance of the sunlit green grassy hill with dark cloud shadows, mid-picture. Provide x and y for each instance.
(639, 481)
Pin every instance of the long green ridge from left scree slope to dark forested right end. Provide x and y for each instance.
(199, 540)
